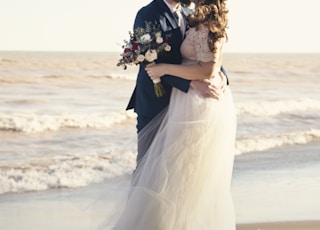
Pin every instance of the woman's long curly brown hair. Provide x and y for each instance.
(213, 14)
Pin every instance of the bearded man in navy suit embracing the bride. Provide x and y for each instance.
(143, 100)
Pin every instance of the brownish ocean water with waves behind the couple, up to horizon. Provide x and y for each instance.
(63, 122)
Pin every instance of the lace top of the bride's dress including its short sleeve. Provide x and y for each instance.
(195, 47)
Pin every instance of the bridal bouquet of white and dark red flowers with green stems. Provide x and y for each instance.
(143, 47)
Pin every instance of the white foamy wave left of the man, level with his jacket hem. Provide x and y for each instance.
(35, 123)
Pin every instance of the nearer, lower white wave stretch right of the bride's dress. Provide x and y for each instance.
(269, 141)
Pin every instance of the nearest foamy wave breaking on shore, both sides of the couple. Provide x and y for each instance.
(74, 170)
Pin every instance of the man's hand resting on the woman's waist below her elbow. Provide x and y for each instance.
(207, 88)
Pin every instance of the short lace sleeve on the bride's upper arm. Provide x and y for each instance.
(203, 52)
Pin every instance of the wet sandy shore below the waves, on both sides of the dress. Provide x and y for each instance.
(85, 208)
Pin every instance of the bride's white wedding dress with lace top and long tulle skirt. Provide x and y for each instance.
(183, 182)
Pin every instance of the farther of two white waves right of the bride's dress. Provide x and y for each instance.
(274, 108)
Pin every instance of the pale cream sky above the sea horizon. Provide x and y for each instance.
(102, 25)
